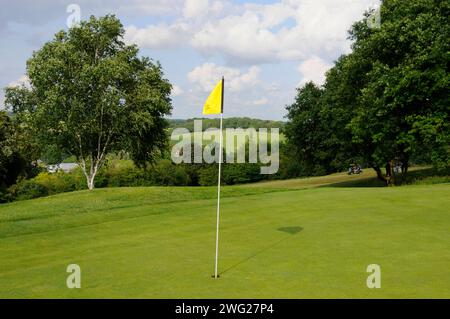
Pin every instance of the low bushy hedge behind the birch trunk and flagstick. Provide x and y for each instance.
(124, 173)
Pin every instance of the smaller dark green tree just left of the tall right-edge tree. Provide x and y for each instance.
(317, 128)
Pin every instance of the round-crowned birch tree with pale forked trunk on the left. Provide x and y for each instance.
(90, 94)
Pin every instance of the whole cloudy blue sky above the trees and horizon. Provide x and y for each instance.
(265, 49)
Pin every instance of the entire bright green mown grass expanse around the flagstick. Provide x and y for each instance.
(276, 242)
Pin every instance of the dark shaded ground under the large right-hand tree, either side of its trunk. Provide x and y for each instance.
(419, 176)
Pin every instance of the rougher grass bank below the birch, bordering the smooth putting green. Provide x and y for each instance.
(69, 210)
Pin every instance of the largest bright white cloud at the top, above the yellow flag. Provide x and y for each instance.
(262, 33)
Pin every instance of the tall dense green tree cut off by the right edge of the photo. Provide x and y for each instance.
(404, 106)
